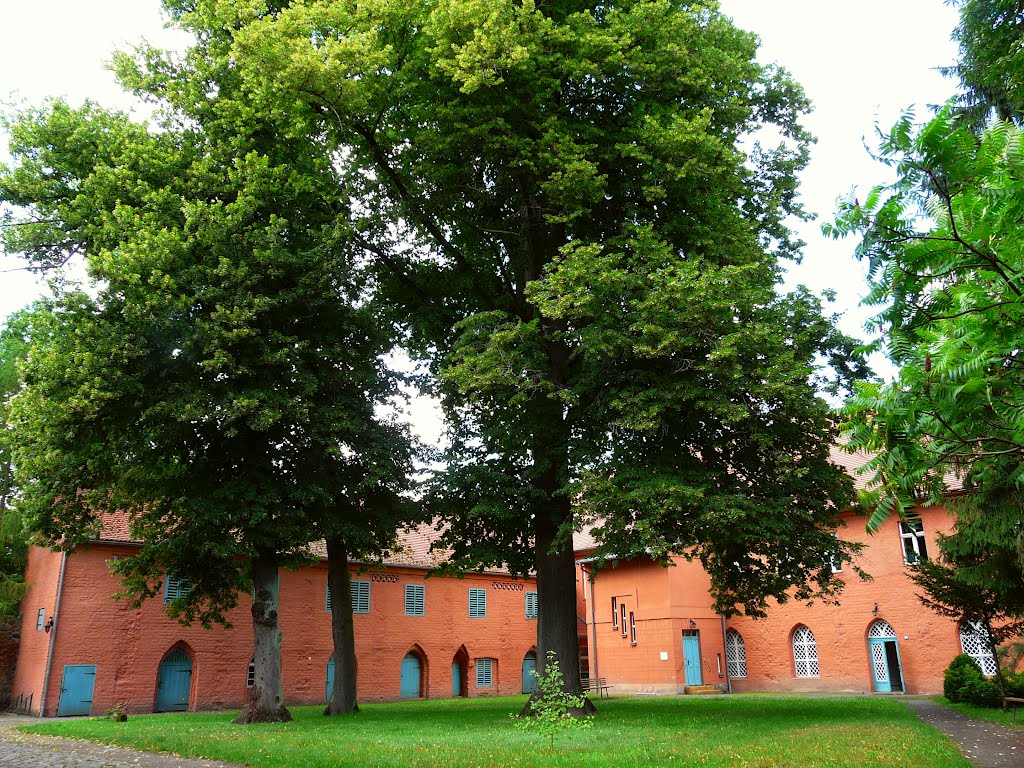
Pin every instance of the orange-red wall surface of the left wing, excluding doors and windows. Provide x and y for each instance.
(127, 646)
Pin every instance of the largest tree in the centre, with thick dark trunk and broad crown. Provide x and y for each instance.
(589, 262)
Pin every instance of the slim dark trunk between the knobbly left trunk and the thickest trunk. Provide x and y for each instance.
(343, 629)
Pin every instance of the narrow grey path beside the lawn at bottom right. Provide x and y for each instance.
(987, 745)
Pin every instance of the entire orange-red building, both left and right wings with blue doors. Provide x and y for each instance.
(644, 628)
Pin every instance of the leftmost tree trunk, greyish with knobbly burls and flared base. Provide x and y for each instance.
(267, 700)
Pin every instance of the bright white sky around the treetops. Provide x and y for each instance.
(861, 63)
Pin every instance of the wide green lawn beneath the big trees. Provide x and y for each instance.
(738, 731)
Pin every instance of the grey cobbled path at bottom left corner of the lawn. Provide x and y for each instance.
(29, 751)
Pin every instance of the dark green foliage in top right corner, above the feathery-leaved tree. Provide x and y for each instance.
(992, 66)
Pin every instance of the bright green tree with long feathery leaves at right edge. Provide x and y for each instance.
(946, 255)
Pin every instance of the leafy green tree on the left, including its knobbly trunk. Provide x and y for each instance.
(221, 387)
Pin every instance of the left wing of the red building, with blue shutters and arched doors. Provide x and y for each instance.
(82, 652)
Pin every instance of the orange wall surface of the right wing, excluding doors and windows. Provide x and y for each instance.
(667, 601)
